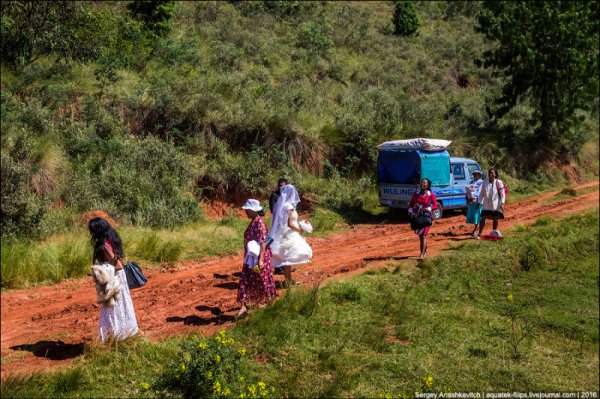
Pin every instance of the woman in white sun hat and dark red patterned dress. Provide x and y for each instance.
(256, 282)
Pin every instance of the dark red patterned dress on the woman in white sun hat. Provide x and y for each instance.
(257, 287)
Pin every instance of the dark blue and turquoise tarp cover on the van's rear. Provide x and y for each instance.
(408, 167)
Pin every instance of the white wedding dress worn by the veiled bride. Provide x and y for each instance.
(291, 248)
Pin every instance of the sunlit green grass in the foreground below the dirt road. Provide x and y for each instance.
(385, 331)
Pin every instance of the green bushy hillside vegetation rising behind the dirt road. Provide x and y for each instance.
(141, 116)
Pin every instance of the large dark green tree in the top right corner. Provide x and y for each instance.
(548, 53)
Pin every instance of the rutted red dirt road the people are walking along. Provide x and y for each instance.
(47, 326)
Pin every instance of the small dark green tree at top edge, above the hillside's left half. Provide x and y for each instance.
(155, 14)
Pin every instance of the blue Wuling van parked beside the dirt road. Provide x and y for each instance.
(399, 172)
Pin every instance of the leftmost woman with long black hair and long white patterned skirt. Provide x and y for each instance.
(116, 321)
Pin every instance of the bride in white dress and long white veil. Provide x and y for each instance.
(288, 247)
